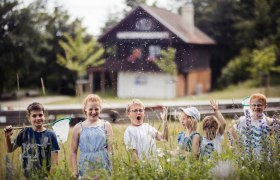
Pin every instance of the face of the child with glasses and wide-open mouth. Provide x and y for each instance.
(136, 114)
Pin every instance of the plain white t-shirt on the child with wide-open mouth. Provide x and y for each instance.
(142, 139)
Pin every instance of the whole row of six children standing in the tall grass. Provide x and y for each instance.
(94, 136)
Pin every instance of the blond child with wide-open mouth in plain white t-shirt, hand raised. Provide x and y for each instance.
(139, 137)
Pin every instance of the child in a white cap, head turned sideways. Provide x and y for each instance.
(189, 140)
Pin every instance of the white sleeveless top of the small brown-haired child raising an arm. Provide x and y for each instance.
(209, 146)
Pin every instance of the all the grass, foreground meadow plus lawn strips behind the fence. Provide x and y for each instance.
(231, 164)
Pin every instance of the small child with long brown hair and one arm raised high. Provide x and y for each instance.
(213, 129)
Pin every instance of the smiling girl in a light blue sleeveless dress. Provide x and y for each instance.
(94, 139)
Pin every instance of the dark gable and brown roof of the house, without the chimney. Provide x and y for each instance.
(159, 23)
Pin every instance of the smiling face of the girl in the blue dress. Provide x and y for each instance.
(92, 110)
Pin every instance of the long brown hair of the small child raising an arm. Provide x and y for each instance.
(210, 125)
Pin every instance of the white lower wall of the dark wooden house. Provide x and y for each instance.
(146, 85)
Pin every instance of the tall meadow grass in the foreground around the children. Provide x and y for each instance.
(231, 164)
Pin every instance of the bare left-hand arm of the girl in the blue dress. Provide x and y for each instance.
(74, 150)
